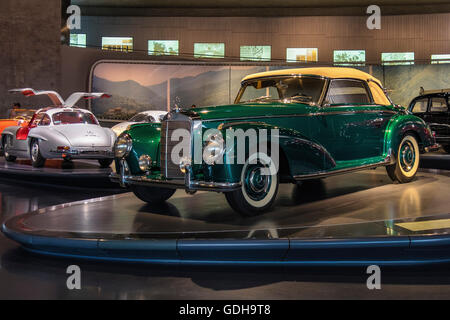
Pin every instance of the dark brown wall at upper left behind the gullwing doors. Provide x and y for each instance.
(30, 48)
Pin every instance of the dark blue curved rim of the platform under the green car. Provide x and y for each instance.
(394, 251)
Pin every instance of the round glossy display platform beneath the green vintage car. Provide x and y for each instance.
(359, 218)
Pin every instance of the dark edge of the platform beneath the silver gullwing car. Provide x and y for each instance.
(71, 179)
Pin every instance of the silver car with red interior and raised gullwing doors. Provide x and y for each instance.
(60, 131)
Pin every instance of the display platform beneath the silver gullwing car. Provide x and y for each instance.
(78, 173)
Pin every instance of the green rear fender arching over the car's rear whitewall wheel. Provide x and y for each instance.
(401, 124)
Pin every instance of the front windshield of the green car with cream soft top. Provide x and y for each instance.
(286, 89)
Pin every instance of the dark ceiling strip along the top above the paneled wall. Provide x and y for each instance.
(256, 7)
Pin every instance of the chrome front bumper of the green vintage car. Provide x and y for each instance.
(125, 179)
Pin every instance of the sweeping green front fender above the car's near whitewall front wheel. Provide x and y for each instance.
(302, 154)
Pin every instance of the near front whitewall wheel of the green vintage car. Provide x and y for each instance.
(259, 189)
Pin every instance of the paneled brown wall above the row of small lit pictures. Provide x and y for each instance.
(422, 34)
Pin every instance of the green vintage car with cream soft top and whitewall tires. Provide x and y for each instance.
(317, 122)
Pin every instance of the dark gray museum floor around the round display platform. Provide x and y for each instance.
(28, 276)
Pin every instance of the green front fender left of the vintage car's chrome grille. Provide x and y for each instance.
(146, 140)
